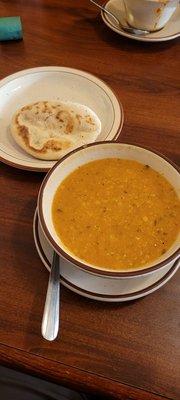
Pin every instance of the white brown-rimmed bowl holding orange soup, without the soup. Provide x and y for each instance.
(129, 281)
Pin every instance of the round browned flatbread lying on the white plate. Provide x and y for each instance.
(47, 130)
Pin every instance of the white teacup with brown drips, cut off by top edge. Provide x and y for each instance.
(150, 15)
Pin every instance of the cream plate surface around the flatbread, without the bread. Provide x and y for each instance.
(54, 84)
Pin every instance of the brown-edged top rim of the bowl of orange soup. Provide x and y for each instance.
(64, 254)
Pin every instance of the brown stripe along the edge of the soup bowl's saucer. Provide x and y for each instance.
(88, 293)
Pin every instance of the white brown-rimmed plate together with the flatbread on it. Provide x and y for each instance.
(46, 112)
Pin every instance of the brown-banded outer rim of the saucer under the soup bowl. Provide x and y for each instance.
(92, 295)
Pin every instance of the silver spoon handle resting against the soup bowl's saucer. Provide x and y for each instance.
(50, 321)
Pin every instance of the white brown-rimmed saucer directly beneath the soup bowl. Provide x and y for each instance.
(92, 286)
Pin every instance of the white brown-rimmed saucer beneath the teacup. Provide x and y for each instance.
(169, 32)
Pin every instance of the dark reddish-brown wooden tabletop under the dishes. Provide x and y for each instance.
(127, 351)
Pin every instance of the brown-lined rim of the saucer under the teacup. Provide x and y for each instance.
(135, 37)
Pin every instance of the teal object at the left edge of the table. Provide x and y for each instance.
(10, 28)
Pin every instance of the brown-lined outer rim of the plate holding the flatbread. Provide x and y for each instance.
(115, 101)
